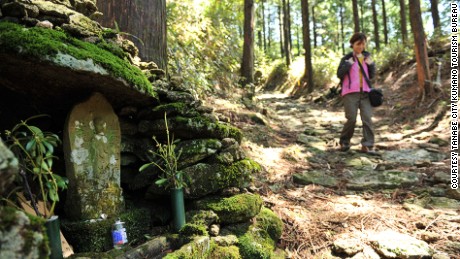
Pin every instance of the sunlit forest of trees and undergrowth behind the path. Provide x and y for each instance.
(204, 42)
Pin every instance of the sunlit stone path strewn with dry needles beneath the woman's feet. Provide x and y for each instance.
(402, 194)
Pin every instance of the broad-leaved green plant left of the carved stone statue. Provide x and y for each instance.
(34, 149)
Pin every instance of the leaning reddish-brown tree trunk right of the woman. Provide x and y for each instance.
(421, 54)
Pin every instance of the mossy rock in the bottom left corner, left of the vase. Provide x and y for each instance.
(22, 235)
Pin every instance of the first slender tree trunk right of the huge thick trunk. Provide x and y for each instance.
(247, 67)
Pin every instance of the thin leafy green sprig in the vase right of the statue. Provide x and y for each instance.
(167, 163)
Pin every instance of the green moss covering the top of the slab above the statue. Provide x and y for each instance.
(43, 43)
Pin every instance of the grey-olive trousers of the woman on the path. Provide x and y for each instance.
(352, 102)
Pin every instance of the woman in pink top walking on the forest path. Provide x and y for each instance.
(355, 92)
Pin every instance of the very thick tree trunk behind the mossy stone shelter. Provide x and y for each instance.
(144, 19)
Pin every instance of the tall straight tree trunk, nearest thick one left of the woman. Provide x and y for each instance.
(308, 75)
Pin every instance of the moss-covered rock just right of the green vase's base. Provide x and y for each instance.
(239, 208)
